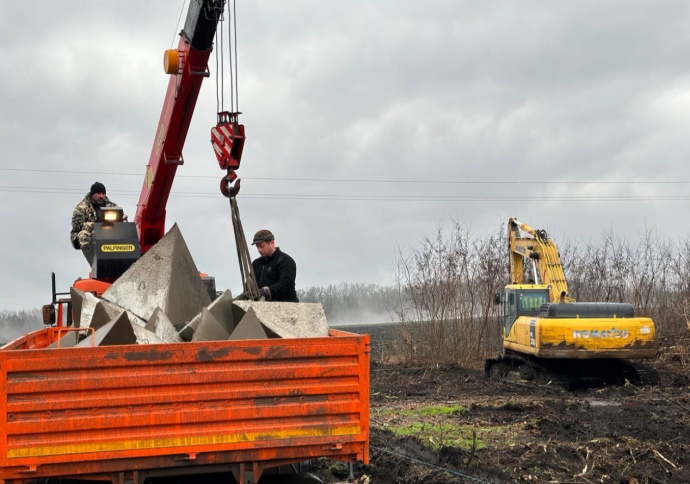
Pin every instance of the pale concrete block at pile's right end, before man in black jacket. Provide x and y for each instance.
(289, 320)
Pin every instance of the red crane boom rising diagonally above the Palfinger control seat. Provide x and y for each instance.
(188, 66)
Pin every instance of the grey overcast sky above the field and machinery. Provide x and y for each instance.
(571, 116)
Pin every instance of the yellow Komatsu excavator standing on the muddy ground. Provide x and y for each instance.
(549, 337)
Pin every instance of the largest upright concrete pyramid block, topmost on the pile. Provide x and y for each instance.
(164, 277)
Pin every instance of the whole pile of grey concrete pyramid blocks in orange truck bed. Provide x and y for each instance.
(162, 299)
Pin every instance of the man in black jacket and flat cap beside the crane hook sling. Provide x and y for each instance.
(275, 271)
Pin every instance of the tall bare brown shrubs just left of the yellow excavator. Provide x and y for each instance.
(446, 291)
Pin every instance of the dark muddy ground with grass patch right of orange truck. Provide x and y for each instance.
(449, 424)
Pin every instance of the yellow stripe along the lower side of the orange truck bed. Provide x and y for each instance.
(177, 442)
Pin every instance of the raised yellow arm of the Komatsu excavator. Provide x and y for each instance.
(537, 246)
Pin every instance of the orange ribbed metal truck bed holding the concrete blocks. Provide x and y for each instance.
(119, 412)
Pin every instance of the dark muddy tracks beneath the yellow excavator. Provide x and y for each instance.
(568, 373)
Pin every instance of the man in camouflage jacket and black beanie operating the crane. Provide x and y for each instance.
(85, 214)
